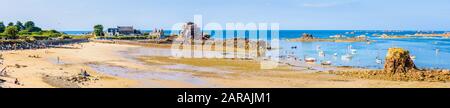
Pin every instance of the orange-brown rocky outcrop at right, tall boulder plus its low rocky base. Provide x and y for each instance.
(399, 67)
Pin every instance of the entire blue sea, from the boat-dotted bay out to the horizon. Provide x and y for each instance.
(429, 52)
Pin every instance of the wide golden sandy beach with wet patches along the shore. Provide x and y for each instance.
(134, 66)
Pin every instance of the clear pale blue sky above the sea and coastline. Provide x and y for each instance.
(290, 14)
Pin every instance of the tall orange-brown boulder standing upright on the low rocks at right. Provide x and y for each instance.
(398, 60)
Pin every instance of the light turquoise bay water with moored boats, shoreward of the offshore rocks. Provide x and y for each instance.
(366, 54)
